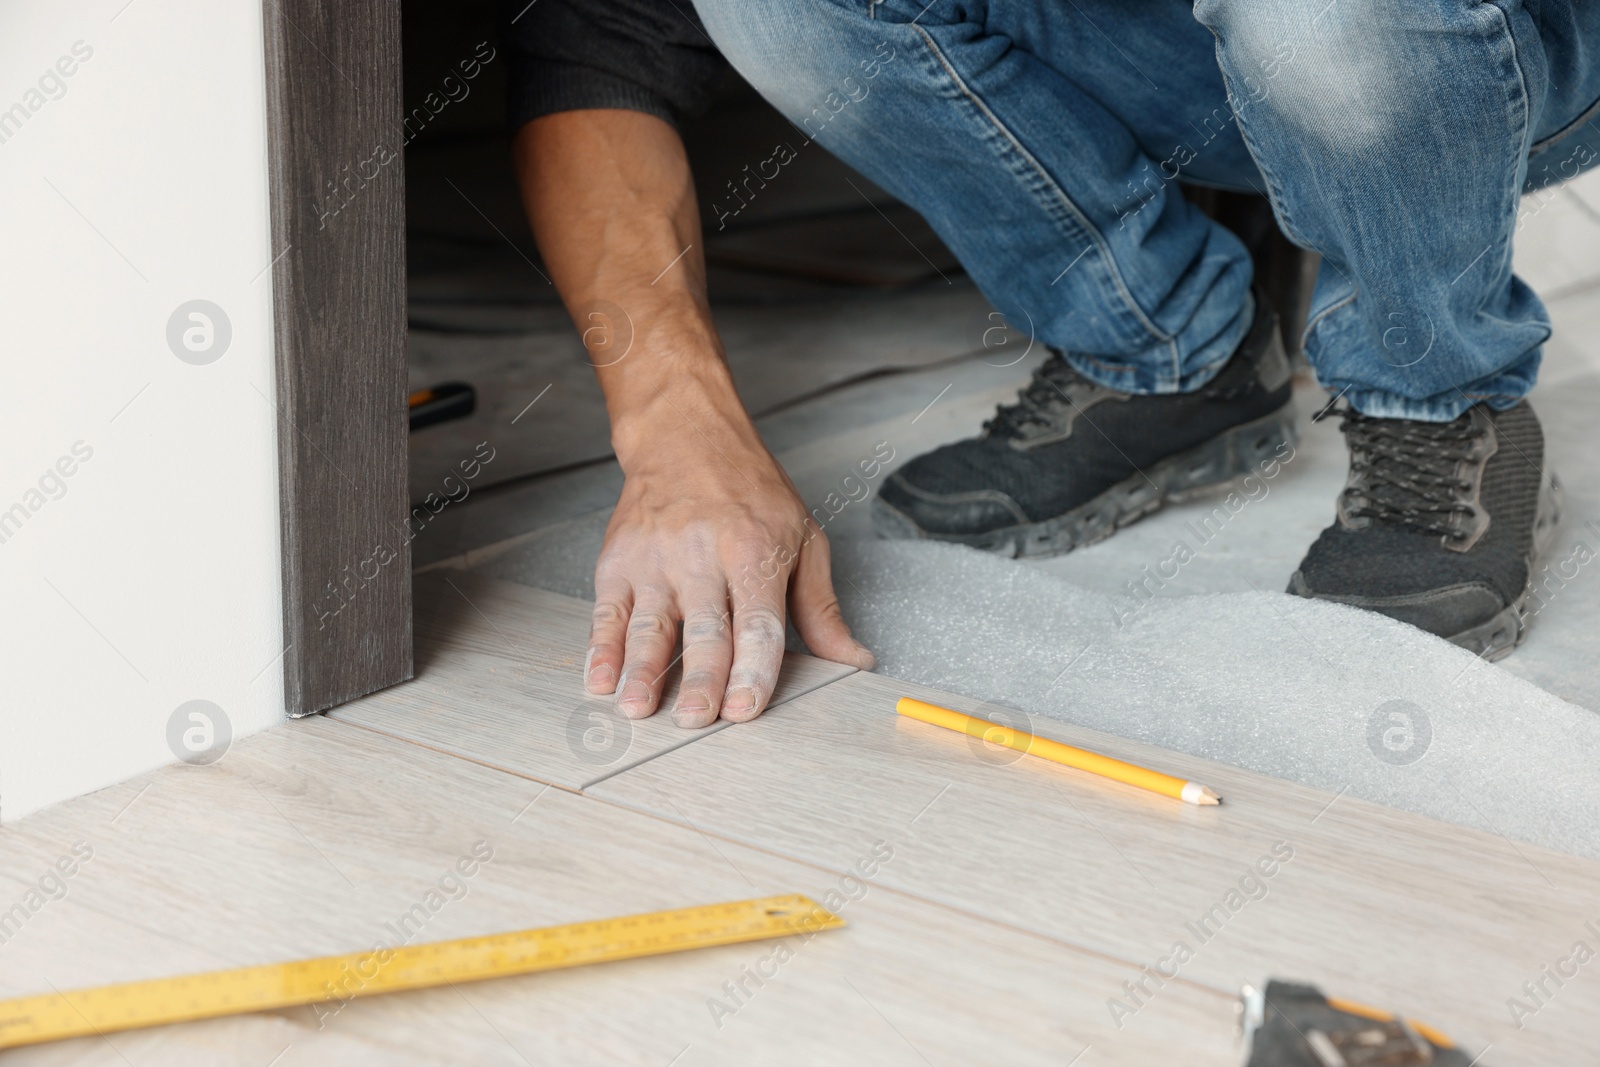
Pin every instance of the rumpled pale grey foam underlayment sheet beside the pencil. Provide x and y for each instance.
(1268, 682)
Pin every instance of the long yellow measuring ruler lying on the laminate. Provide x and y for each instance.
(158, 1002)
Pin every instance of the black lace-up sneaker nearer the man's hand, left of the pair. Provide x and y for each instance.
(1073, 462)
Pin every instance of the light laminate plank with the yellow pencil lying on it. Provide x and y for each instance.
(1370, 903)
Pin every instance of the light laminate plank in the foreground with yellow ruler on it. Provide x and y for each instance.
(321, 837)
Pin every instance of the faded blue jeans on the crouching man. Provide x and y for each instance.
(1046, 140)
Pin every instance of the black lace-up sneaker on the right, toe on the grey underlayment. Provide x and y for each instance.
(1441, 526)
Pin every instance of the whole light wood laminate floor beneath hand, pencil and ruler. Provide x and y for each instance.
(1009, 901)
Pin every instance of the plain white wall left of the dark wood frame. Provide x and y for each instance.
(154, 578)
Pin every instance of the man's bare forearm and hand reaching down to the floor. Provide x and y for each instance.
(710, 532)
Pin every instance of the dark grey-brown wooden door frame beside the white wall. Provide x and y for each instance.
(340, 314)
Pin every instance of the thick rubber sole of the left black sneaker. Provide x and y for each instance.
(1217, 463)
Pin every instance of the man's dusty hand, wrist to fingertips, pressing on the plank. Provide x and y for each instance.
(710, 533)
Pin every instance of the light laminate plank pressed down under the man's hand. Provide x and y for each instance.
(500, 682)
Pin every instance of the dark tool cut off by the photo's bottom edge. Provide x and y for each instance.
(1295, 1026)
